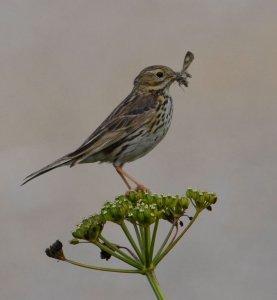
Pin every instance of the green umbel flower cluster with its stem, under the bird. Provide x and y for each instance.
(142, 212)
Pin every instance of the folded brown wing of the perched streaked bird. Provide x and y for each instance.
(127, 117)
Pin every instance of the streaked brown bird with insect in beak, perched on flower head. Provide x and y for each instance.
(133, 128)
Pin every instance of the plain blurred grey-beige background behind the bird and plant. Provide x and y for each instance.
(65, 65)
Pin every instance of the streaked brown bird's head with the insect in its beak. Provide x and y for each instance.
(158, 77)
